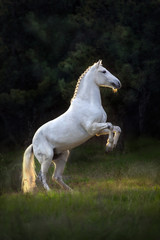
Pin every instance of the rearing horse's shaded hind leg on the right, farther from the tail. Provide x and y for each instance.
(60, 163)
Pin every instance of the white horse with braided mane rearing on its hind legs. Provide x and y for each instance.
(84, 119)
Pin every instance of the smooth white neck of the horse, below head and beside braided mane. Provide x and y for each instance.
(89, 91)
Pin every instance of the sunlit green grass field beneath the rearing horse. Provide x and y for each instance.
(116, 196)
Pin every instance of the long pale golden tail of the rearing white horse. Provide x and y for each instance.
(28, 171)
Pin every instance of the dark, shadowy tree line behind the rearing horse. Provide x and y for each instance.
(46, 45)
